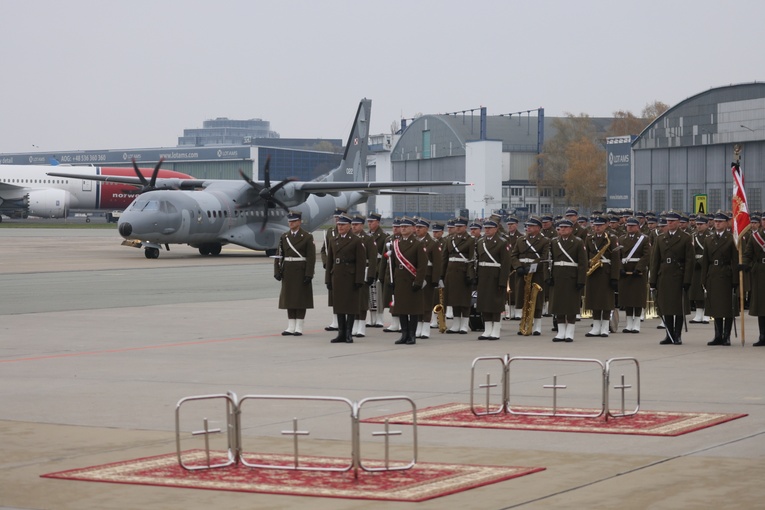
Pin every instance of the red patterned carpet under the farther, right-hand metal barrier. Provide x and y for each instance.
(649, 423)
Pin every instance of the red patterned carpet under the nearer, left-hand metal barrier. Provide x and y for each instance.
(424, 481)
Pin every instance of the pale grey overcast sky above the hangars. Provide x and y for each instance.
(118, 74)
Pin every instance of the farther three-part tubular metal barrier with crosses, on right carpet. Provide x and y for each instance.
(604, 387)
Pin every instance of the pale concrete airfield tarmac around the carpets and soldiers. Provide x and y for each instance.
(98, 344)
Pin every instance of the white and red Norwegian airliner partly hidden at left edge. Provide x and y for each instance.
(28, 190)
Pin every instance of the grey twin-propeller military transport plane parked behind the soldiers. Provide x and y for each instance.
(207, 214)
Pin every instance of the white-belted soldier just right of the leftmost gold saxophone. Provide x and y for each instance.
(459, 272)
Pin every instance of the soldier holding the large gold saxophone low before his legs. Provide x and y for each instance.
(528, 257)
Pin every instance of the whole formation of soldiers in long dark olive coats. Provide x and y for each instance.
(478, 274)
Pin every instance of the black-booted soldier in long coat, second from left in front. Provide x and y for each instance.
(344, 276)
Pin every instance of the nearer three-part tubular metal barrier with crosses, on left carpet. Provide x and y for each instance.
(236, 455)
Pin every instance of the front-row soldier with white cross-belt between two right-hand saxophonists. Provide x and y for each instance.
(567, 279)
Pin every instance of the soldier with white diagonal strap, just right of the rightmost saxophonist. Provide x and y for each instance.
(633, 276)
